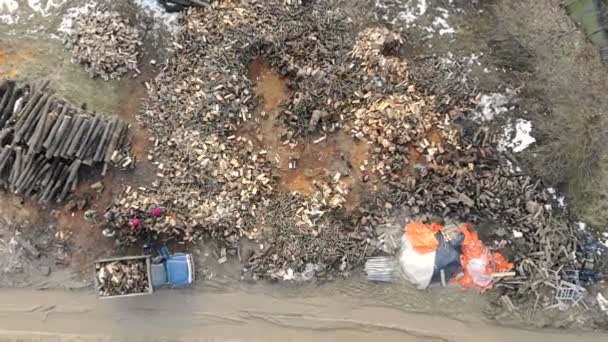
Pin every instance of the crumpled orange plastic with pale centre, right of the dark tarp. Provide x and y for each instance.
(478, 263)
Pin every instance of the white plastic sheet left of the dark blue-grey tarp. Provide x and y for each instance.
(417, 267)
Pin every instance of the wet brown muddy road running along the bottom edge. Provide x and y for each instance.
(236, 316)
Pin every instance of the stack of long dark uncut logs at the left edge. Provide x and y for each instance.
(45, 141)
